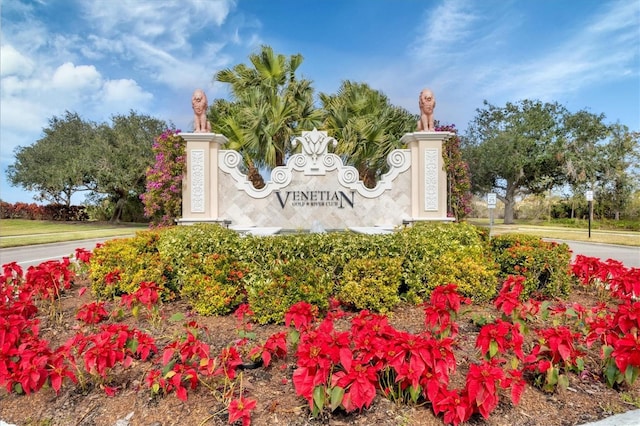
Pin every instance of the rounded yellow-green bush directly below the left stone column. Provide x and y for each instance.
(213, 285)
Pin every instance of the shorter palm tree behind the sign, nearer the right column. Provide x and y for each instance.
(367, 127)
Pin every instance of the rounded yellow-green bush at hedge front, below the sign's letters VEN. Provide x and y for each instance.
(273, 288)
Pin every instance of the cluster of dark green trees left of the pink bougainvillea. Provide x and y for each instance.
(107, 161)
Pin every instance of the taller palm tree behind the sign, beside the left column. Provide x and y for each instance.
(271, 106)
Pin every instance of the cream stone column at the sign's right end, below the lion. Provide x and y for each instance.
(428, 176)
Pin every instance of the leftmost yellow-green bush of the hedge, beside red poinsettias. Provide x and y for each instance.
(132, 261)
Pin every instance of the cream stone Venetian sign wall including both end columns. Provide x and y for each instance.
(314, 187)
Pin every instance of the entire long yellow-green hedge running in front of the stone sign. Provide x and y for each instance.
(216, 269)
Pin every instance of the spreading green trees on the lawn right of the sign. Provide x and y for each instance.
(530, 147)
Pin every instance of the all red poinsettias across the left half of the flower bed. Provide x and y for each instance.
(96, 355)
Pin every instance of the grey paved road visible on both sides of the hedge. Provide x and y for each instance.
(33, 255)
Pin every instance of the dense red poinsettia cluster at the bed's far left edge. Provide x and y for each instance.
(27, 362)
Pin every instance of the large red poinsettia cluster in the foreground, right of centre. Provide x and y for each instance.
(346, 369)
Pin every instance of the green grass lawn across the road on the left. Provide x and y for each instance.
(21, 232)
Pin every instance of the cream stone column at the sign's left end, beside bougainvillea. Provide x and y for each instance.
(200, 184)
